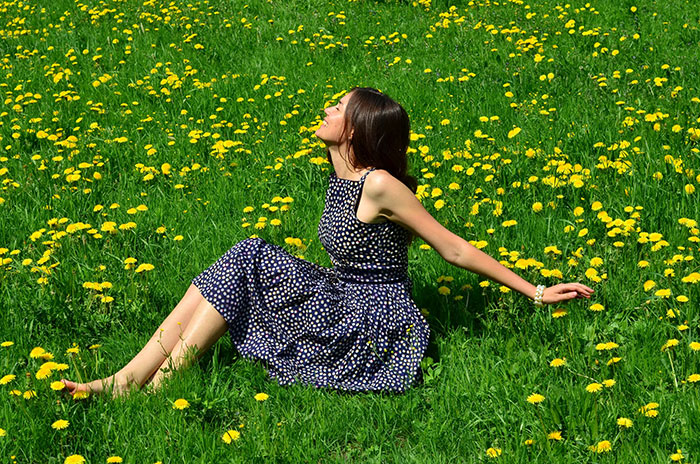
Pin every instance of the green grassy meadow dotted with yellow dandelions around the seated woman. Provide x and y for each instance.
(140, 140)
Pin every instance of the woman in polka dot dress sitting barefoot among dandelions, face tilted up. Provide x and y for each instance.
(351, 327)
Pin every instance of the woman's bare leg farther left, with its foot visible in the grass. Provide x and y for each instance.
(153, 354)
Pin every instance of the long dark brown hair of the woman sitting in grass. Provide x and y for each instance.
(380, 131)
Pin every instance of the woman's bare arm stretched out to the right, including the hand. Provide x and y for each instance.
(398, 204)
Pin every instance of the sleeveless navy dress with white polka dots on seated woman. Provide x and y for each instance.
(351, 327)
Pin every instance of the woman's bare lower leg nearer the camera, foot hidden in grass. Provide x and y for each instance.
(203, 330)
